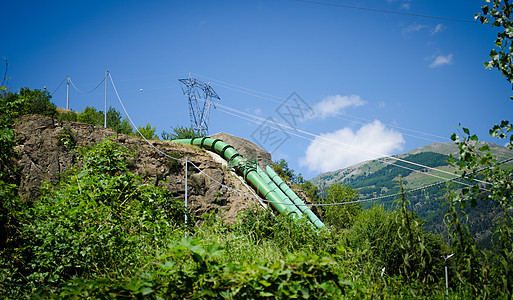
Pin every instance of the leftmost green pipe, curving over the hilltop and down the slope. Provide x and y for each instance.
(249, 173)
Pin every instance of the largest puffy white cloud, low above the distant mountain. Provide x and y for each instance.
(331, 151)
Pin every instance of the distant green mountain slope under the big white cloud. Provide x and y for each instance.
(380, 177)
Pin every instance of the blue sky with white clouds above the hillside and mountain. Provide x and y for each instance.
(370, 83)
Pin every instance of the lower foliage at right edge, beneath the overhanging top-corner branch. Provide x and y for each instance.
(477, 162)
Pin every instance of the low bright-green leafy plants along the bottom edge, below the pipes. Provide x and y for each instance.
(190, 270)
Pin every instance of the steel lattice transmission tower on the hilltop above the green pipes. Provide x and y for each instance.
(201, 98)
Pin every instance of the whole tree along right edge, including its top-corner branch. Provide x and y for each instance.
(475, 161)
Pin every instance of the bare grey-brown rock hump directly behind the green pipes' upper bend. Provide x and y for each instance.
(246, 148)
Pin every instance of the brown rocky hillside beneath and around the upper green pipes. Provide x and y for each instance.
(47, 148)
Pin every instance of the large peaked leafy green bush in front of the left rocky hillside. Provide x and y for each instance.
(100, 220)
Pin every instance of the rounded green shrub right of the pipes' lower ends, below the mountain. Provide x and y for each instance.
(396, 243)
